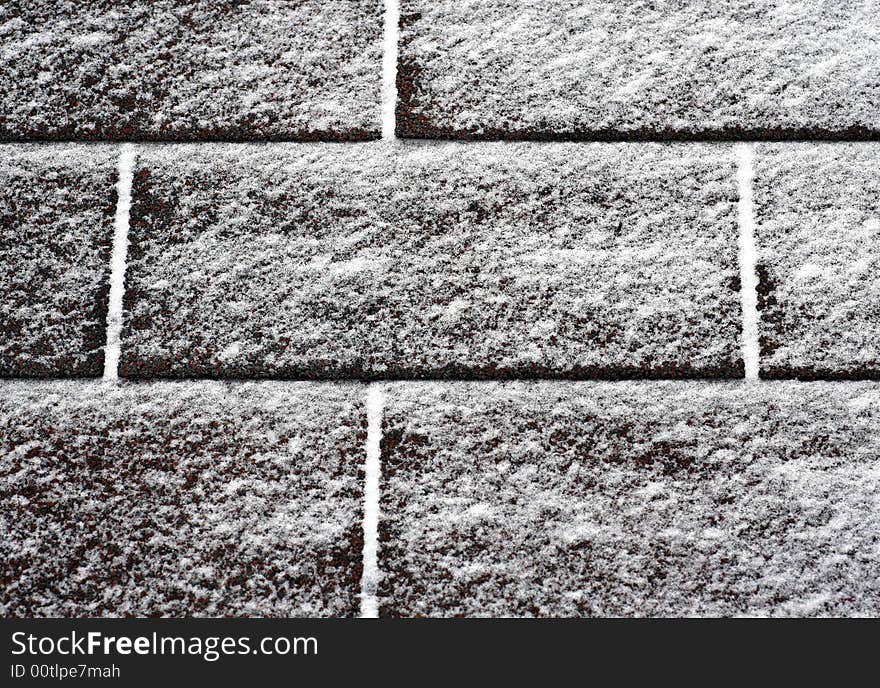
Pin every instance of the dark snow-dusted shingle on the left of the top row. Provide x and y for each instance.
(184, 70)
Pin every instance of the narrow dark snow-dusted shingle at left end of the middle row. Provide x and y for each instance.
(56, 226)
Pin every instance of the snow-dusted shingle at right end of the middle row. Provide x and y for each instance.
(817, 211)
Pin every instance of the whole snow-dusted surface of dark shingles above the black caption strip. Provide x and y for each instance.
(611, 349)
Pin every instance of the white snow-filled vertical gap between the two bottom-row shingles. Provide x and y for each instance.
(370, 579)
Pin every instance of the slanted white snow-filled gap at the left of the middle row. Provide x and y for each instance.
(117, 261)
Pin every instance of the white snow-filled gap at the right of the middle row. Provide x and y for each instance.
(748, 258)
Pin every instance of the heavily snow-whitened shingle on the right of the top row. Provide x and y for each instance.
(607, 69)
